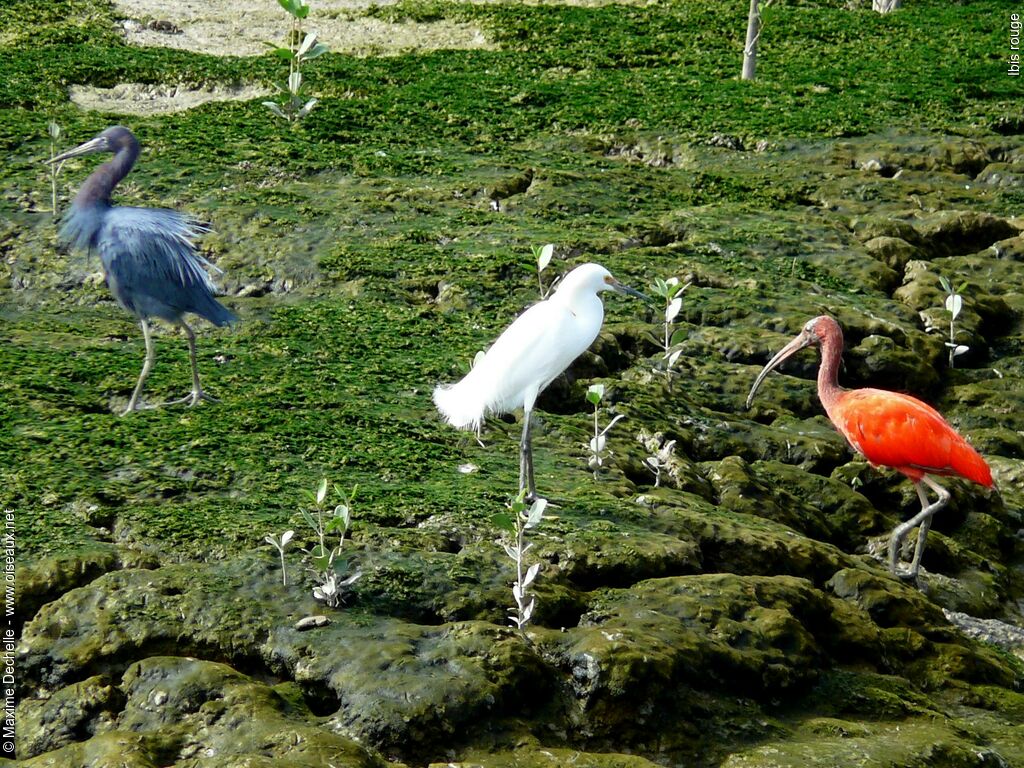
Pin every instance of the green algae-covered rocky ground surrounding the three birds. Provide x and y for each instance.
(727, 605)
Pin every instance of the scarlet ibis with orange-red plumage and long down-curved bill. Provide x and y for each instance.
(889, 430)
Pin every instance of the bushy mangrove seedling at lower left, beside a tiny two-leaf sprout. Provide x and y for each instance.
(325, 562)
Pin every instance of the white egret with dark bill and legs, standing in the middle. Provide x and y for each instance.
(528, 357)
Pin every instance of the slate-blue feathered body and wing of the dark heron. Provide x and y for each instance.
(153, 268)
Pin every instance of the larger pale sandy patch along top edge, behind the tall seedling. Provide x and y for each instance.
(240, 28)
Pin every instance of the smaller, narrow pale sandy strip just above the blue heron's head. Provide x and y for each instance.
(140, 99)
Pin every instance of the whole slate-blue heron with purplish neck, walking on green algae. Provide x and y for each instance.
(150, 262)
